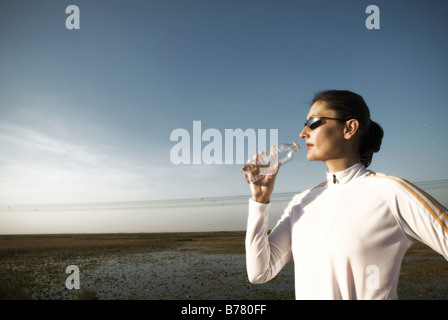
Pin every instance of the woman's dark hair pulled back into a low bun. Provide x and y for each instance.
(350, 105)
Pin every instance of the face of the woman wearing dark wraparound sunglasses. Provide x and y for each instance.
(326, 142)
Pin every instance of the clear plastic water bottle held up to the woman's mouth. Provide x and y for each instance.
(285, 153)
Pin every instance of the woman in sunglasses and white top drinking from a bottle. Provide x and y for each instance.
(348, 235)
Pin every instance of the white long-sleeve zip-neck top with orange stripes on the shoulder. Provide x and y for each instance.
(347, 236)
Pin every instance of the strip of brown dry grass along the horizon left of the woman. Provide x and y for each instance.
(24, 246)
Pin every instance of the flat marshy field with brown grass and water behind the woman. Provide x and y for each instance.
(168, 266)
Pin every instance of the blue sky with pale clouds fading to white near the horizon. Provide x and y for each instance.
(86, 115)
